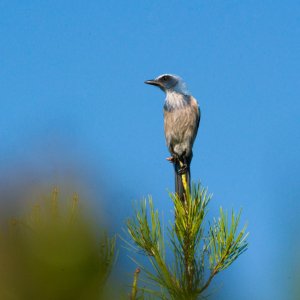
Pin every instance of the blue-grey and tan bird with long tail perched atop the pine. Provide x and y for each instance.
(181, 122)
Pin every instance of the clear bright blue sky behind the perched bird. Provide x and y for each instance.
(73, 101)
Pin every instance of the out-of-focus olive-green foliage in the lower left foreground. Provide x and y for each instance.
(54, 252)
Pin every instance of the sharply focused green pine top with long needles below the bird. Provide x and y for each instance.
(200, 249)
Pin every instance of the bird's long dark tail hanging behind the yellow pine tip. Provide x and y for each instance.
(182, 181)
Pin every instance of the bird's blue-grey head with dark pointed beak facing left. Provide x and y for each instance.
(169, 83)
